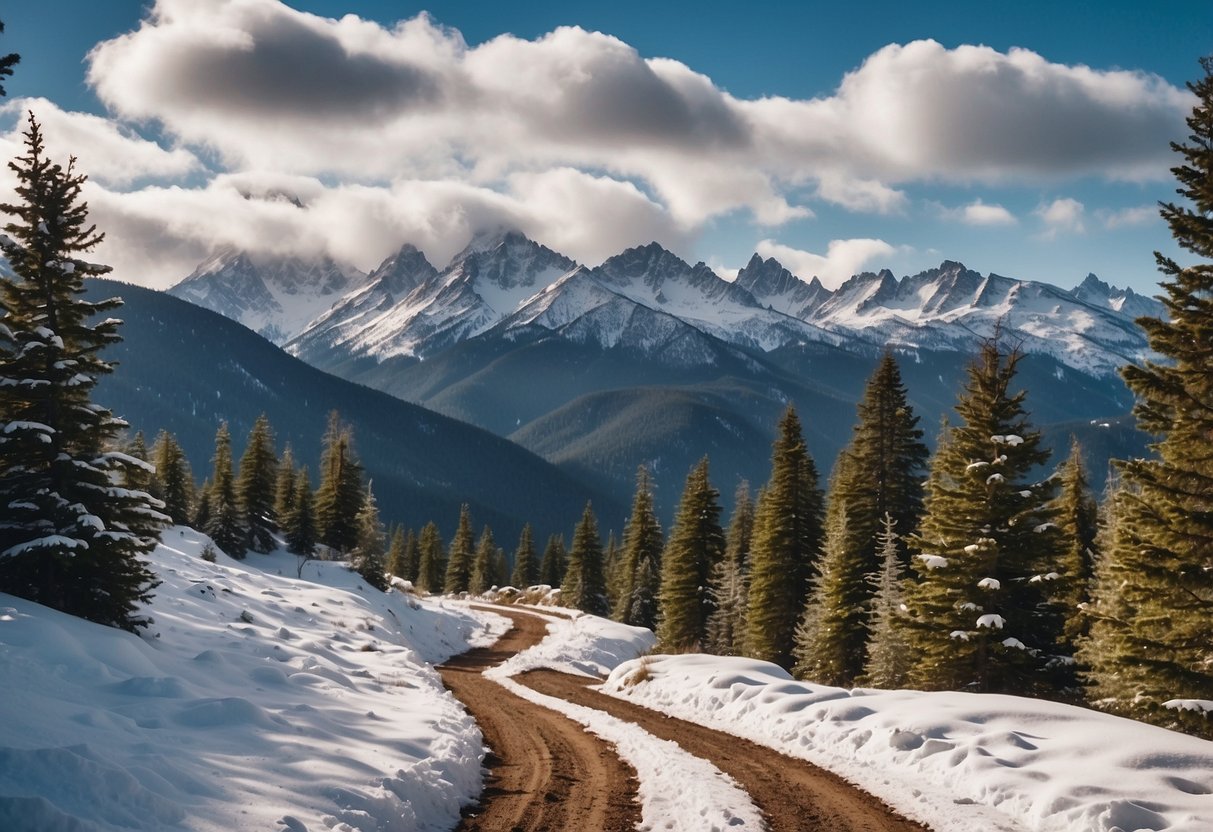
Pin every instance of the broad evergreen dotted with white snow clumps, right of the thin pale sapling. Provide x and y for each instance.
(989, 550)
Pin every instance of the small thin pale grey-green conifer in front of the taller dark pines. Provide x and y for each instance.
(889, 654)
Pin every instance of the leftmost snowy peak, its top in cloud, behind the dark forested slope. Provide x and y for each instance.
(274, 297)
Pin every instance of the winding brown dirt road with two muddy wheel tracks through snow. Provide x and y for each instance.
(793, 795)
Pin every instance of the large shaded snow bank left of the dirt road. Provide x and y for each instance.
(257, 702)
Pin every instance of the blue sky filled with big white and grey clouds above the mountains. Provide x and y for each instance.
(725, 179)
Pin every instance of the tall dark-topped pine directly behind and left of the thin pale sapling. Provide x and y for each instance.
(879, 474)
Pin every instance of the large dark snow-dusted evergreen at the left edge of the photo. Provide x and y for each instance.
(69, 538)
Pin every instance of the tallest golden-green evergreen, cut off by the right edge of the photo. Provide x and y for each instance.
(1164, 654)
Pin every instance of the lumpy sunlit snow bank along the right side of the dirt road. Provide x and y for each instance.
(958, 762)
